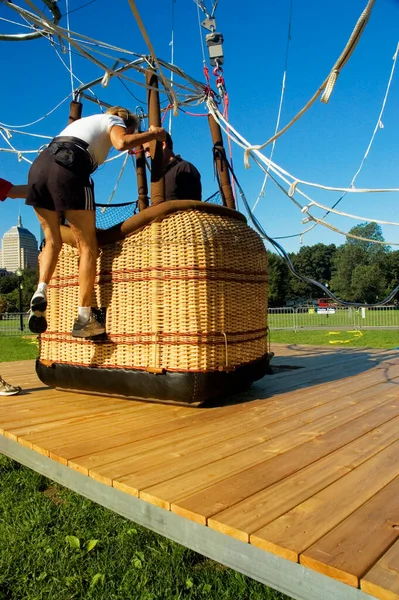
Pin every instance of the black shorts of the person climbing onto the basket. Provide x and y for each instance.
(55, 187)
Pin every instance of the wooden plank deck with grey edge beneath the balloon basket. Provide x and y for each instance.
(304, 466)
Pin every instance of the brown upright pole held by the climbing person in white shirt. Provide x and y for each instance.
(154, 118)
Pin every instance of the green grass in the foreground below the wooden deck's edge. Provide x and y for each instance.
(57, 545)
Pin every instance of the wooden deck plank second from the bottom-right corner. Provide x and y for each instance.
(354, 546)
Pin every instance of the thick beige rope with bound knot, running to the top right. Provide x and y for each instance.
(339, 64)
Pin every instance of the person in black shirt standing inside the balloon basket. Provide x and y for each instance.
(182, 179)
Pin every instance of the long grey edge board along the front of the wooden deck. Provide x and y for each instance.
(283, 575)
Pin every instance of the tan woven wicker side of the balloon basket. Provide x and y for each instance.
(188, 293)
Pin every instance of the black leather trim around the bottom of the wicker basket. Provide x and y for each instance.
(164, 387)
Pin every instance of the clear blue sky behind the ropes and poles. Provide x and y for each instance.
(325, 146)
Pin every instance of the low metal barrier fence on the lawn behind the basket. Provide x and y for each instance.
(295, 319)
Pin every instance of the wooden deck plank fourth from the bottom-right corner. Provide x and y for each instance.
(257, 511)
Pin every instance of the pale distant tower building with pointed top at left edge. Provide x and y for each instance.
(19, 248)
